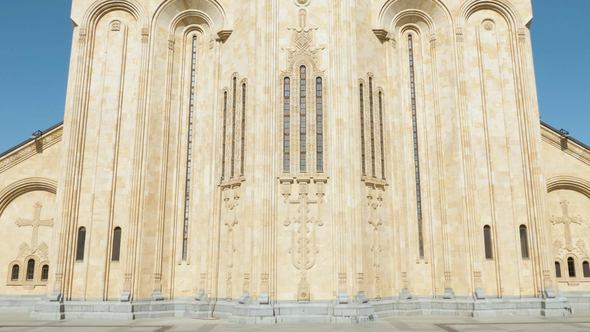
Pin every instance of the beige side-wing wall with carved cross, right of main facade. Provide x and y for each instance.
(567, 171)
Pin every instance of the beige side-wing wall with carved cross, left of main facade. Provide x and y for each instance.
(28, 180)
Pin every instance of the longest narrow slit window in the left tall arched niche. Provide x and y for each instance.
(189, 147)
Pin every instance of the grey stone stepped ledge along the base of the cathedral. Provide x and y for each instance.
(286, 312)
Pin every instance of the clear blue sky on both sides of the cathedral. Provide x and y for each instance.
(34, 57)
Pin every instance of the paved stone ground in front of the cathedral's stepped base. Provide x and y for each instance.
(422, 323)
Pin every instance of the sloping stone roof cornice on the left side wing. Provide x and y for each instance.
(31, 147)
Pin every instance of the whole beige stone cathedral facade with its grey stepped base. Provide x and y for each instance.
(269, 160)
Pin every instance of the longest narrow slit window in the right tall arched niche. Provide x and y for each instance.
(416, 149)
